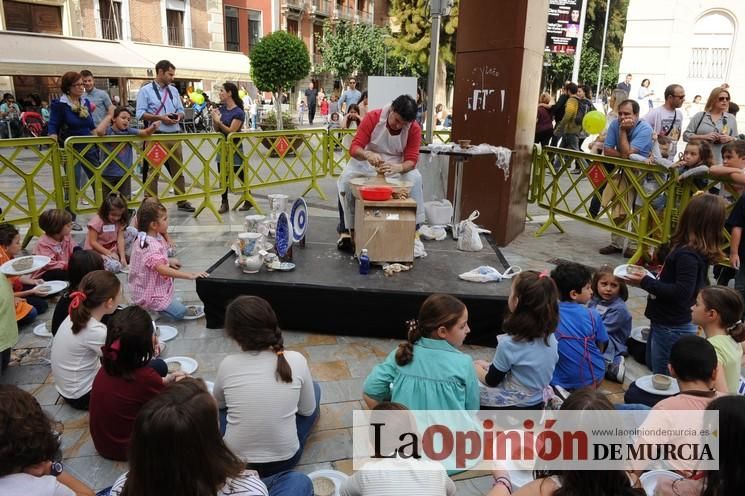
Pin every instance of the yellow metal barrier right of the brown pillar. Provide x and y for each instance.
(635, 200)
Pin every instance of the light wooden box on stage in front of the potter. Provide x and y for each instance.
(386, 229)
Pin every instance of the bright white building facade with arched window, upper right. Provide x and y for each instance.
(696, 43)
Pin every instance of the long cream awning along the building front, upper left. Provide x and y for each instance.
(27, 54)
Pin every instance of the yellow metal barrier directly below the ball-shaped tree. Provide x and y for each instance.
(274, 158)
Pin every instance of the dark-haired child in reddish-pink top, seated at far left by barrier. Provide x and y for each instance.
(56, 243)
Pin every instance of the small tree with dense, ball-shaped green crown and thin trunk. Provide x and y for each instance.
(278, 61)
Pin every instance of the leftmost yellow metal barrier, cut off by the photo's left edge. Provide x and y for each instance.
(31, 174)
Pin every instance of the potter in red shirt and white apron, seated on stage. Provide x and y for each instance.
(387, 142)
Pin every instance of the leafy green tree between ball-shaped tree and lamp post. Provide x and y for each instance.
(348, 48)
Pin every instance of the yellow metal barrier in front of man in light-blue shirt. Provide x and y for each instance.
(190, 159)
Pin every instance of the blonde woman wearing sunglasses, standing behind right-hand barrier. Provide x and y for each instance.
(715, 124)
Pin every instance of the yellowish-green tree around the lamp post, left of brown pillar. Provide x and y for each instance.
(411, 43)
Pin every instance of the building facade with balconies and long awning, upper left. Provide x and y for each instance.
(118, 40)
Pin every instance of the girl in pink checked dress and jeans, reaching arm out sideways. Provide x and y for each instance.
(151, 273)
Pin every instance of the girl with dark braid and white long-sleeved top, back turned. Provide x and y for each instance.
(267, 392)
